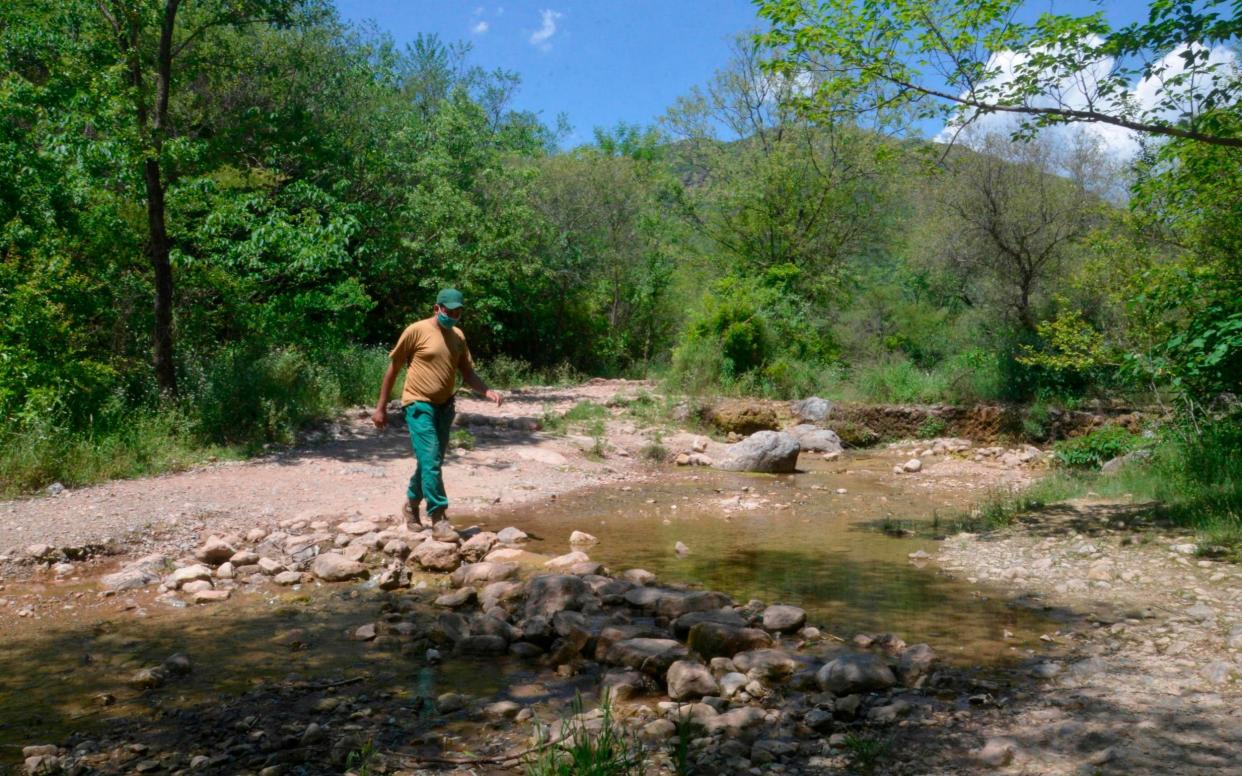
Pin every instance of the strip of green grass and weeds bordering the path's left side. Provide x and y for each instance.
(237, 404)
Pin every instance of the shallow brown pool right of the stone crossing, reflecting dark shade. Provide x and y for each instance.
(794, 539)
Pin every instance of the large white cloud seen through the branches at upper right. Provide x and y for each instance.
(1082, 91)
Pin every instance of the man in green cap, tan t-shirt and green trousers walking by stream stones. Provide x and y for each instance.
(433, 352)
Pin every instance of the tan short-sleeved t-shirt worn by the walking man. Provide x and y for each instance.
(432, 356)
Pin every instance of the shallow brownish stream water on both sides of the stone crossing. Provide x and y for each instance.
(789, 539)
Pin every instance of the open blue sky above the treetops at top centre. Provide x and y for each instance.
(607, 61)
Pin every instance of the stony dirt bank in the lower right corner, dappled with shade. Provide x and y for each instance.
(1152, 684)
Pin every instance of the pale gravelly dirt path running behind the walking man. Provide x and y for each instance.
(350, 470)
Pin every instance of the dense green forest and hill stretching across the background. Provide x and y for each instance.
(239, 244)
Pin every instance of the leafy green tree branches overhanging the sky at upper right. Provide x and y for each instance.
(964, 59)
